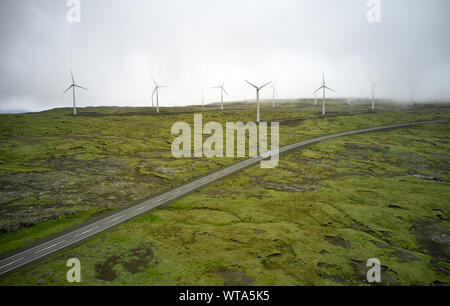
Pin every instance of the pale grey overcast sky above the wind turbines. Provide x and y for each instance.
(190, 44)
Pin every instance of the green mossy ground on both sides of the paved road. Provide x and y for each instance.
(313, 220)
